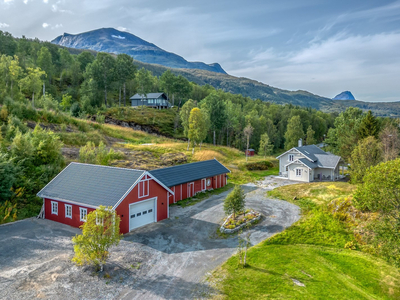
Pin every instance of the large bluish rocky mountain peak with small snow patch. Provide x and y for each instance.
(115, 41)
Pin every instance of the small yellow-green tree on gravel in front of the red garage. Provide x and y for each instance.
(99, 233)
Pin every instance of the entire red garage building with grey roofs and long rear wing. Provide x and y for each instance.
(139, 197)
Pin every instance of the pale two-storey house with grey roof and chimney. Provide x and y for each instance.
(309, 163)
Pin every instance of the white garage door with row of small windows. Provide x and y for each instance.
(142, 213)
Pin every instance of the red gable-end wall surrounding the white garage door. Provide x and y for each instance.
(156, 190)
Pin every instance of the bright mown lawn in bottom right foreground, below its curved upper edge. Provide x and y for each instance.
(327, 273)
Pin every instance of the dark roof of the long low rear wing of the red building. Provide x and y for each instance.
(189, 172)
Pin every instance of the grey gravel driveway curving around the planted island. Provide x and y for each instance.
(165, 260)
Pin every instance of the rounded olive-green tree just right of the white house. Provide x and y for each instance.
(368, 153)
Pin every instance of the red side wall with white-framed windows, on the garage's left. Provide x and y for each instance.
(60, 217)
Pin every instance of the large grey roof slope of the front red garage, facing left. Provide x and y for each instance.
(91, 185)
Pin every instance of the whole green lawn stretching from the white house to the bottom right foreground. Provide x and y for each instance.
(312, 252)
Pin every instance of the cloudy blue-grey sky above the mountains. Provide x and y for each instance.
(324, 47)
